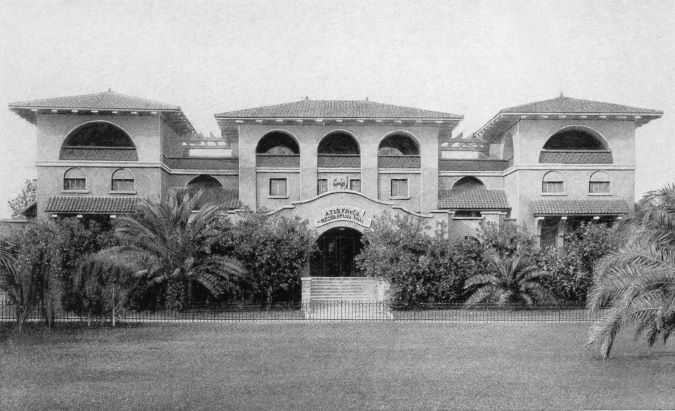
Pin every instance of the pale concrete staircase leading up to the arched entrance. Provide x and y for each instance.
(345, 298)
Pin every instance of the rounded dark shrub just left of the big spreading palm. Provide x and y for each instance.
(103, 284)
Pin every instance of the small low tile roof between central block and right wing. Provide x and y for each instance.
(473, 199)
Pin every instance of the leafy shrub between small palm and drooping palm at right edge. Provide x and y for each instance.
(570, 267)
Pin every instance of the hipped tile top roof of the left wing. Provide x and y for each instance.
(107, 100)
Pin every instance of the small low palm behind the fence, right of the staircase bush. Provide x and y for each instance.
(514, 280)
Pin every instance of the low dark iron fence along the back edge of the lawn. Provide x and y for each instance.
(329, 311)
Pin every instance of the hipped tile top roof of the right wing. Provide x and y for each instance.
(564, 104)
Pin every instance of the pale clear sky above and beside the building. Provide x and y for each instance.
(464, 57)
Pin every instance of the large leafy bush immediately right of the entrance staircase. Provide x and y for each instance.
(420, 268)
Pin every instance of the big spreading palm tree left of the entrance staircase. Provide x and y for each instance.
(176, 239)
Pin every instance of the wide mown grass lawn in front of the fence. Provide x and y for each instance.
(330, 366)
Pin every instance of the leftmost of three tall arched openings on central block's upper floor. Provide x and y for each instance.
(277, 149)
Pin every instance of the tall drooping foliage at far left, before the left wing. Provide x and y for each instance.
(46, 254)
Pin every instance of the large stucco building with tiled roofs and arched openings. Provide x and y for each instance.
(547, 165)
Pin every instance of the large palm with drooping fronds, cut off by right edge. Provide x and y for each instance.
(635, 286)
